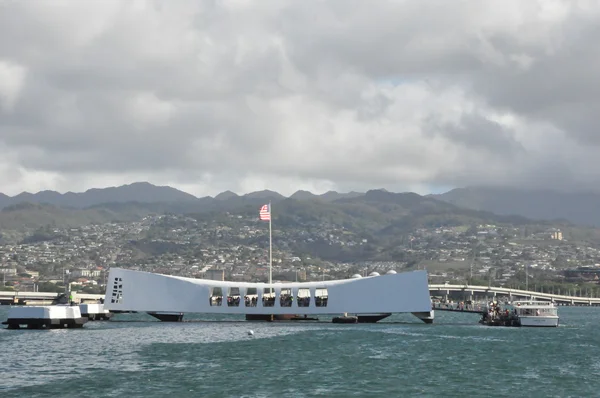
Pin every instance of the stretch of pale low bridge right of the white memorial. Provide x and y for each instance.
(512, 294)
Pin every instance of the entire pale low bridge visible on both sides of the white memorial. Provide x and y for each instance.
(469, 291)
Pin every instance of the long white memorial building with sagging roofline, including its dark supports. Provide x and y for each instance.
(129, 290)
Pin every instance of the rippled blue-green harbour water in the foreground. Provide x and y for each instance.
(135, 356)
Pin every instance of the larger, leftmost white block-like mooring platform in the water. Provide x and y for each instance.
(45, 317)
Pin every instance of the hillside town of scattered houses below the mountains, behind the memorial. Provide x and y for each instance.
(236, 248)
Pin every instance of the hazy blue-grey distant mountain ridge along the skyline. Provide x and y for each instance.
(140, 197)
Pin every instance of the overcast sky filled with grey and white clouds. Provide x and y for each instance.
(344, 95)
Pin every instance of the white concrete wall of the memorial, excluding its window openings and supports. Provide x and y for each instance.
(143, 291)
